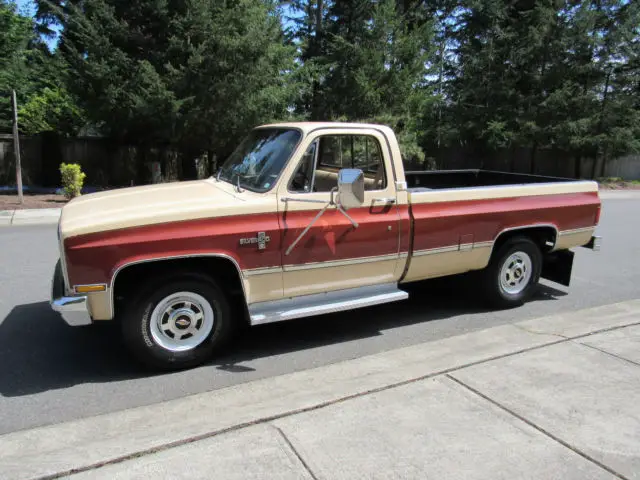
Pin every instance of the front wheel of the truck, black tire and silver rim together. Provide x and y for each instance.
(178, 323)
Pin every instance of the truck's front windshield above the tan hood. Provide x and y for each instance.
(257, 162)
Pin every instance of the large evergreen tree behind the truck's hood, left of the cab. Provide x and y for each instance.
(191, 74)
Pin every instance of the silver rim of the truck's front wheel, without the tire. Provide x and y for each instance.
(181, 321)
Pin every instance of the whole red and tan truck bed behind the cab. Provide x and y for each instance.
(458, 215)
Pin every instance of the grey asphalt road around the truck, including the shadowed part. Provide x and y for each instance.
(50, 372)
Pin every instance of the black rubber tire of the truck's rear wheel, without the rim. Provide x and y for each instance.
(494, 291)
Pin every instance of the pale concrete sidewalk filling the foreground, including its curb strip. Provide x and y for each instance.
(555, 397)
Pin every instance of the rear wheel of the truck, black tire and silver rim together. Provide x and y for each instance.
(513, 273)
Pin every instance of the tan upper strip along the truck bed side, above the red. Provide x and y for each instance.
(501, 191)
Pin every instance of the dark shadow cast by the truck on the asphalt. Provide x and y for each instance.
(39, 352)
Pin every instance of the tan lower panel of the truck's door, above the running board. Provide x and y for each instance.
(316, 280)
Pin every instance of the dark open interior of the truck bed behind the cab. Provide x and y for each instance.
(441, 179)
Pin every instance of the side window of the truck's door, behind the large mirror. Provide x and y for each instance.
(335, 152)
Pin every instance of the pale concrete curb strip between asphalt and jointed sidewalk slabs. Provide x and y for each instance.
(86, 444)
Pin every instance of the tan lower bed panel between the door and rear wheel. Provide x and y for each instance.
(447, 263)
